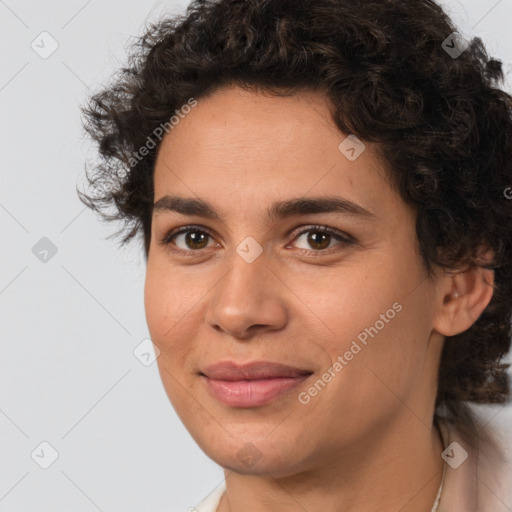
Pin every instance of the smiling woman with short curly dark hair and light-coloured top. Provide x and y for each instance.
(321, 188)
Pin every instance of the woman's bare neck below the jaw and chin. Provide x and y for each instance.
(400, 469)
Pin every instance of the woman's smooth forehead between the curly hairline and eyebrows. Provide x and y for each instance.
(253, 147)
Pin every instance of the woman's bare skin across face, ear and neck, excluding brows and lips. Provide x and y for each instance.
(366, 441)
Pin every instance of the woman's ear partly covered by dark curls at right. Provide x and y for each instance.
(463, 296)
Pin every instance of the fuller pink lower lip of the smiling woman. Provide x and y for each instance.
(252, 393)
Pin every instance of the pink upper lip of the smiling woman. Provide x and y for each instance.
(230, 370)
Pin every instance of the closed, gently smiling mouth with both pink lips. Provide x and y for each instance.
(251, 385)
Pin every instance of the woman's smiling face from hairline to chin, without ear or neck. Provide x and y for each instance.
(251, 279)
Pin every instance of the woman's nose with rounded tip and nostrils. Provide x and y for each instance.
(248, 300)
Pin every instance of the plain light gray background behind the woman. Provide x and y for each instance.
(69, 326)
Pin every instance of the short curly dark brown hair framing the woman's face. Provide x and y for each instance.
(441, 122)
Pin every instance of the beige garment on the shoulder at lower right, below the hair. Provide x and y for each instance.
(478, 465)
